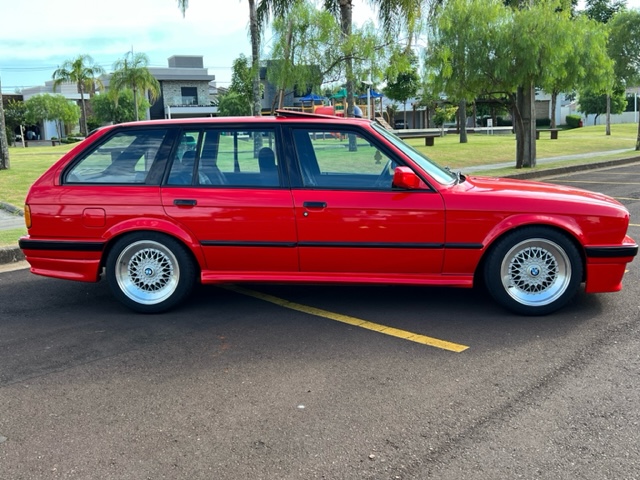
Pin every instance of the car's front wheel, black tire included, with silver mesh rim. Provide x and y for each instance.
(533, 271)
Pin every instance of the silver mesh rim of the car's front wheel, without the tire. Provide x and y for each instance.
(536, 272)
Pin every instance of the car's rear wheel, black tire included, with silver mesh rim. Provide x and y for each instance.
(150, 272)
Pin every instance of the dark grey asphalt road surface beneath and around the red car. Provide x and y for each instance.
(232, 386)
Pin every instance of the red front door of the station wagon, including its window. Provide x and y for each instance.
(349, 217)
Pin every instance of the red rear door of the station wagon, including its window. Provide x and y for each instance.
(226, 185)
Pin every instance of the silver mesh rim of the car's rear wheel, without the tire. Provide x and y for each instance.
(147, 272)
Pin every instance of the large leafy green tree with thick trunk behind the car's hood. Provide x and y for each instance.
(507, 53)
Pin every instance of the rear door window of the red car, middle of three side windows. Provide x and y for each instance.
(229, 157)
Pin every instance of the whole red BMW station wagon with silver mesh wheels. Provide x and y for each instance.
(157, 206)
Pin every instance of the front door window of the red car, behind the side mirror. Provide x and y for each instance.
(342, 159)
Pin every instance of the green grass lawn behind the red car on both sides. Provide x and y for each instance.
(29, 163)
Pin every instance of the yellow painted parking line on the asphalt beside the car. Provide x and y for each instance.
(357, 322)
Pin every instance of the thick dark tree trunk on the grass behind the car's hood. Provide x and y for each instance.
(526, 130)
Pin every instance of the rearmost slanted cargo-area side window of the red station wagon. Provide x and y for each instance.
(126, 157)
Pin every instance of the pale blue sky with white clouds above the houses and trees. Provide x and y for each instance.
(39, 39)
